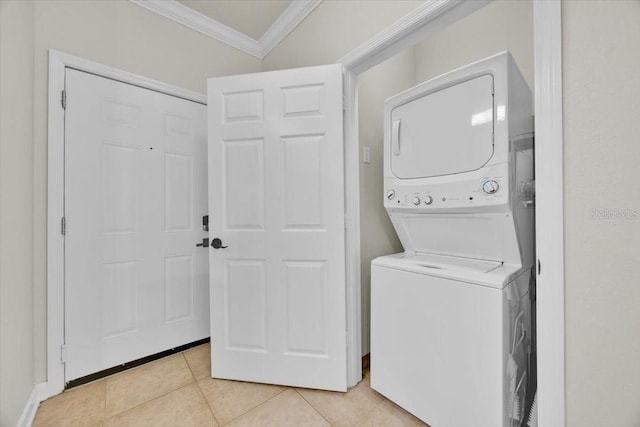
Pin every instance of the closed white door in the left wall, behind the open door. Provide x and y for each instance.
(135, 194)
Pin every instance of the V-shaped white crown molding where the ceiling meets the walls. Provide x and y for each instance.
(290, 18)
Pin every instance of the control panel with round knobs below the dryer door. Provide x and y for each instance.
(489, 190)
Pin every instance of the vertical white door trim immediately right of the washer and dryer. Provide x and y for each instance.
(549, 211)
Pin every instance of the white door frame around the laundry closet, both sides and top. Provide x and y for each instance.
(428, 18)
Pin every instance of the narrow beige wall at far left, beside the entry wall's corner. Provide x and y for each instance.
(16, 209)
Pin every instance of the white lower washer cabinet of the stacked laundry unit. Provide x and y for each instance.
(451, 352)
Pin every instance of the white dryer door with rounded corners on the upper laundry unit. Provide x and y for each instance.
(444, 132)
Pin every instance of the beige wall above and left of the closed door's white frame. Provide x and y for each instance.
(122, 35)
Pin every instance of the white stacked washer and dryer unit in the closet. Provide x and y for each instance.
(451, 316)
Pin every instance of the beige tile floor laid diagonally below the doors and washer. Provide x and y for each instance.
(178, 391)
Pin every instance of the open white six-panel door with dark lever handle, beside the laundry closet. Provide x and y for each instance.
(276, 198)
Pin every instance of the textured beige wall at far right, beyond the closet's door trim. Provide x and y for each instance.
(601, 84)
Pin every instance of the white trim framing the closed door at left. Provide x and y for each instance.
(58, 62)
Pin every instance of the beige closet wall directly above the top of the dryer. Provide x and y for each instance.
(501, 25)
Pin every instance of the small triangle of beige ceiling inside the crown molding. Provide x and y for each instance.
(251, 17)
